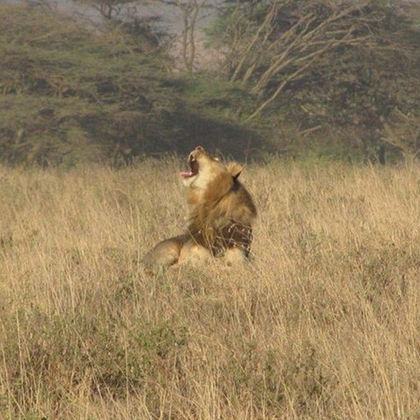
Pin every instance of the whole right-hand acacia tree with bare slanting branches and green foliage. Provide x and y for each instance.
(345, 64)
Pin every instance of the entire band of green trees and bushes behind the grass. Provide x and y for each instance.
(292, 77)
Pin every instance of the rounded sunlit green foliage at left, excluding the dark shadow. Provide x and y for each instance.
(69, 92)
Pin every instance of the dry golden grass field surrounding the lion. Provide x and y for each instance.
(324, 323)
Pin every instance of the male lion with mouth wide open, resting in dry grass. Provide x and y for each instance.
(220, 219)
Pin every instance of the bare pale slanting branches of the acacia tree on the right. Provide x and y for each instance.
(285, 39)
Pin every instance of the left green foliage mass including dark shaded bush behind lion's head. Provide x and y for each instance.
(72, 93)
